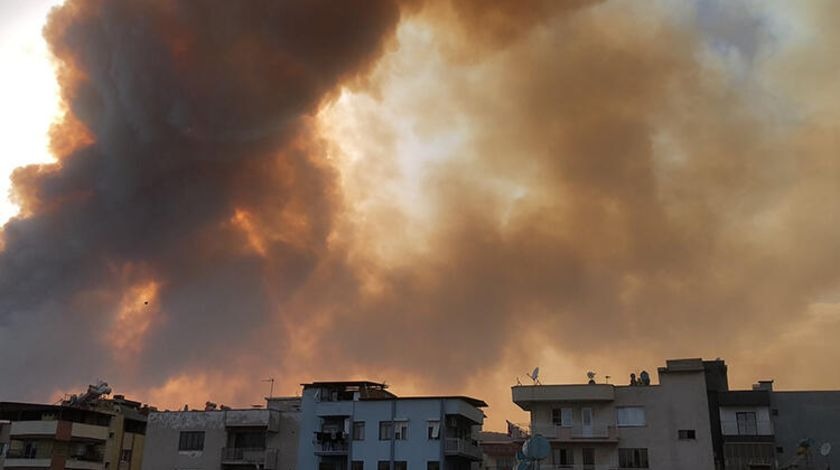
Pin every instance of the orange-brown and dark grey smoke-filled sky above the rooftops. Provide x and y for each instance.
(439, 194)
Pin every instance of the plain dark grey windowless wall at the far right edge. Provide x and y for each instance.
(807, 415)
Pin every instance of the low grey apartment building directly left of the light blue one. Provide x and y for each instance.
(223, 438)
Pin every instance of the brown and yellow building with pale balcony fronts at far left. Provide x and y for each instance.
(94, 437)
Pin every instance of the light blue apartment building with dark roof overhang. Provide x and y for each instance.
(359, 425)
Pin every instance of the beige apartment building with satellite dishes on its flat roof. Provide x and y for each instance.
(598, 426)
